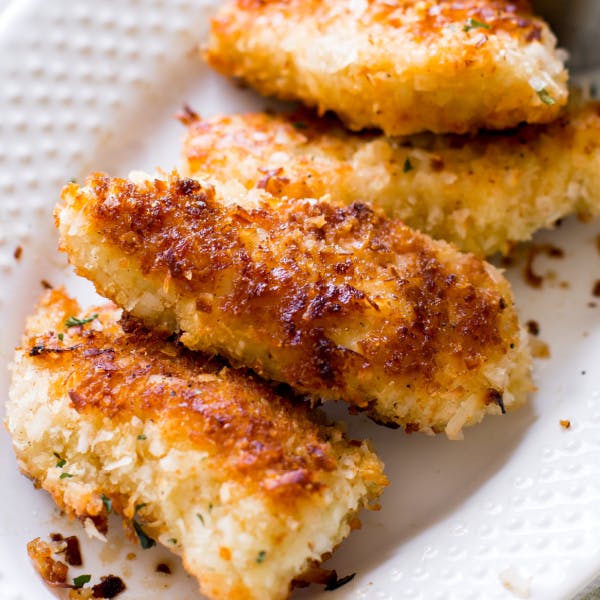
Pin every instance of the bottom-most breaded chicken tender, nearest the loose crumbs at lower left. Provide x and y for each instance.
(249, 487)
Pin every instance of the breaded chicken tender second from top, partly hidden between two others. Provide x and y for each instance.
(483, 193)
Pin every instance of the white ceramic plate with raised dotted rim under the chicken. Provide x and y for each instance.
(94, 85)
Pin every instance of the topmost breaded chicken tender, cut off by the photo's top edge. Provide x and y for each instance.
(403, 66)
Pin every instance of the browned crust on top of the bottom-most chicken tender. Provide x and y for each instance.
(258, 436)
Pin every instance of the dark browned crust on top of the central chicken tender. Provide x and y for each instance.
(301, 273)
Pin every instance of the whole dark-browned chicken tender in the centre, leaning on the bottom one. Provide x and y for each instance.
(336, 301)
